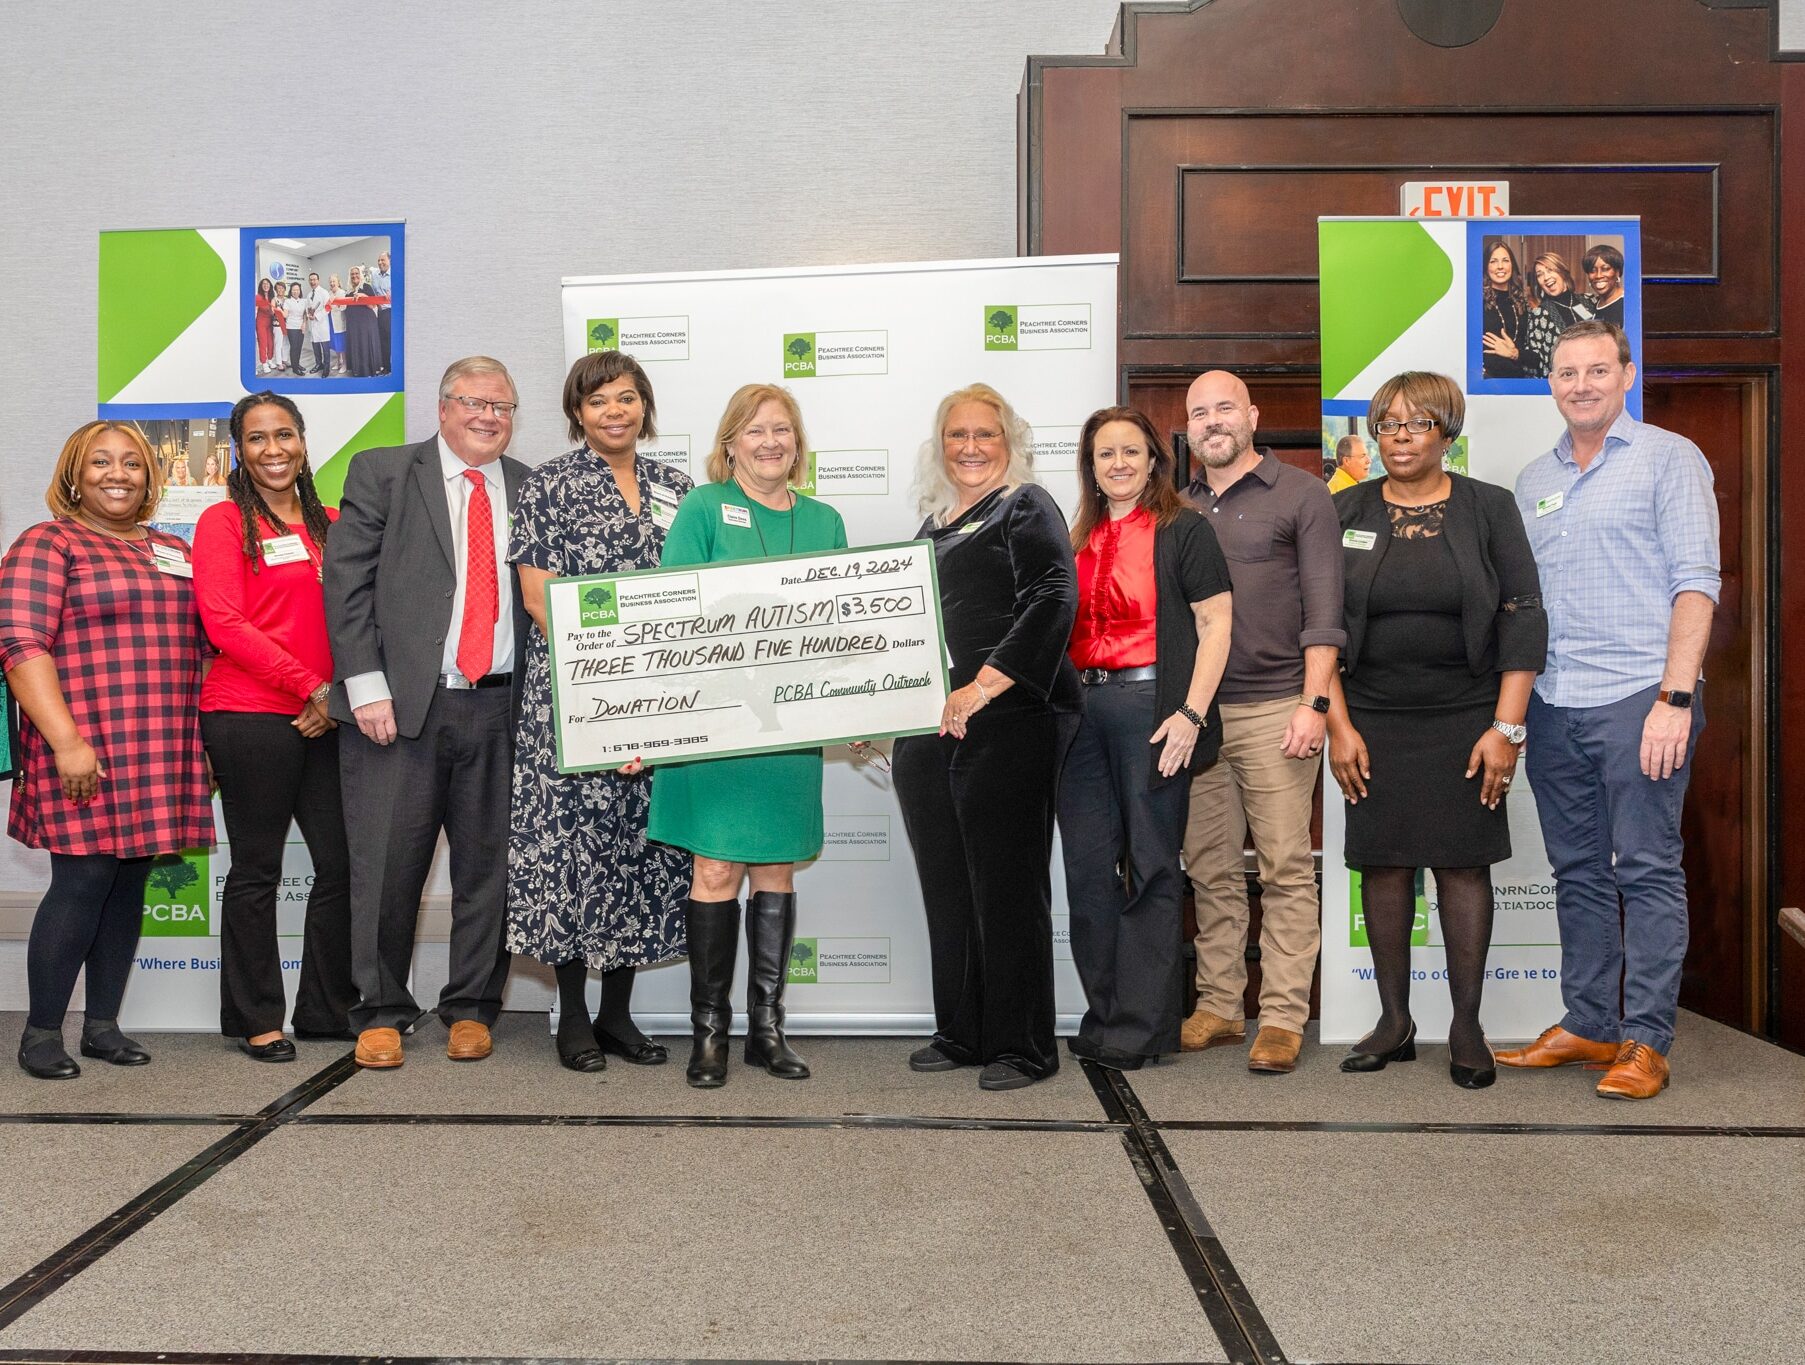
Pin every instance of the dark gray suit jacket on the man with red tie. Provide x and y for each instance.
(391, 575)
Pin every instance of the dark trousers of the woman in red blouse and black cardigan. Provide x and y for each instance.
(1124, 882)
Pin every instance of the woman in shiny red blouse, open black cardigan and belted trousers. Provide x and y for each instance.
(1151, 644)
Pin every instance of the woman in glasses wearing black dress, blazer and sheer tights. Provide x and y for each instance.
(1447, 636)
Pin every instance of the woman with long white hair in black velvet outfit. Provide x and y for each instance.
(979, 797)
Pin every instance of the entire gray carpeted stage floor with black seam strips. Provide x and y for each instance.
(1192, 1212)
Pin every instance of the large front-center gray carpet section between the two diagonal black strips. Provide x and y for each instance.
(649, 1243)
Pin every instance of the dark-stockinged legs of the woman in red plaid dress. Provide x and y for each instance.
(88, 918)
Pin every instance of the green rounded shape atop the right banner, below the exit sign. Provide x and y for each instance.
(1378, 281)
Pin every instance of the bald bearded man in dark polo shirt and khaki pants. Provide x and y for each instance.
(1282, 541)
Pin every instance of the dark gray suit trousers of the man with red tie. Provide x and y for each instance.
(398, 797)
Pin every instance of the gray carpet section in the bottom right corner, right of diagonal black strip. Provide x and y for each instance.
(1479, 1250)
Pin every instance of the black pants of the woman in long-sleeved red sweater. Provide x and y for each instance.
(270, 775)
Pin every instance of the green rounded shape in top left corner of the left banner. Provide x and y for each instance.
(153, 288)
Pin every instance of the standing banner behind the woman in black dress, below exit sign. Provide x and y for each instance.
(1483, 302)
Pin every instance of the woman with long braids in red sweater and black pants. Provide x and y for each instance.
(264, 720)
